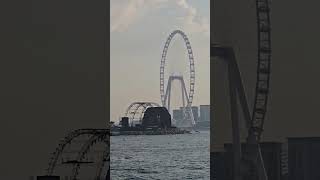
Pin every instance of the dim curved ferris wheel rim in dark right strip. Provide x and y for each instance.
(262, 86)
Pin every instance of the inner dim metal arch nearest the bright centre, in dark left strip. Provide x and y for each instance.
(86, 148)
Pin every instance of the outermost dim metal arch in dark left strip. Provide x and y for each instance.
(68, 140)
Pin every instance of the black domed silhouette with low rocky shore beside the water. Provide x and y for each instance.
(156, 121)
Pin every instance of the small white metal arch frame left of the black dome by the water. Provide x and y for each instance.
(135, 106)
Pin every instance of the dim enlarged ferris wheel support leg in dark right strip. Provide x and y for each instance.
(252, 158)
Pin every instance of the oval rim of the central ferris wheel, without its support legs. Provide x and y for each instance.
(191, 61)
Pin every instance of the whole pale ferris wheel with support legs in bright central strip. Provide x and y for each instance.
(187, 97)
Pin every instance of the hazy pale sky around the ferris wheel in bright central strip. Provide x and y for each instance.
(139, 29)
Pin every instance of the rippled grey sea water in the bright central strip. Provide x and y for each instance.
(165, 157)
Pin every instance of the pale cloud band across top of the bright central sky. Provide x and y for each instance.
(129, 12)
